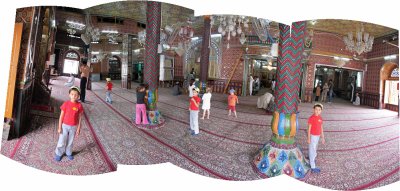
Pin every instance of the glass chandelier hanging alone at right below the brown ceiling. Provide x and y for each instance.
(361, 43)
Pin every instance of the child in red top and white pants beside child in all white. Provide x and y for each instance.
(194, 112)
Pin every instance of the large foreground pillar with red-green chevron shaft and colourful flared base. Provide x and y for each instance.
(281, 154)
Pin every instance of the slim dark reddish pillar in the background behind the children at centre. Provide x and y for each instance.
(205, 53)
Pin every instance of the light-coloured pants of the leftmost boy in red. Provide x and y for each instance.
(65, 140)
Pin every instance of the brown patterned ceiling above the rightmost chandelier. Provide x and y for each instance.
(343, 27)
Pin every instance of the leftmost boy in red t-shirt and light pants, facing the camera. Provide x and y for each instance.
(69, 123)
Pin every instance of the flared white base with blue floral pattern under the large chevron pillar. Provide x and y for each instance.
(276, 159)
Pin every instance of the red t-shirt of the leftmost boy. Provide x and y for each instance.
(71, 112)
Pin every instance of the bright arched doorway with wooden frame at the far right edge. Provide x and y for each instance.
(389, 86)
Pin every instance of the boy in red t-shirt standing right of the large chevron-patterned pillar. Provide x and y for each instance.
(315, 131)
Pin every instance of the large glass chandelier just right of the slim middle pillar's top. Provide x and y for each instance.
(231, 25)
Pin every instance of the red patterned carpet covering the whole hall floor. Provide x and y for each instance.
(361, 150)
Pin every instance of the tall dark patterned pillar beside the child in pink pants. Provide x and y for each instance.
(151, 67)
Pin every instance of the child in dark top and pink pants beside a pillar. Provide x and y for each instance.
(140, 105)
